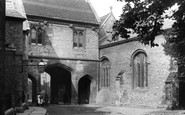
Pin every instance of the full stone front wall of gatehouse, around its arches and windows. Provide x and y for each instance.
(57, 49)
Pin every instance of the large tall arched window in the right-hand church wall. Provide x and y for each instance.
(140, 68)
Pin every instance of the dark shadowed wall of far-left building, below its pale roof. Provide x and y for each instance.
(14, 71)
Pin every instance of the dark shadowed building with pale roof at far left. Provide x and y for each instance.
(15, 78)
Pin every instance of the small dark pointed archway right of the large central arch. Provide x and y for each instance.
(84, 90)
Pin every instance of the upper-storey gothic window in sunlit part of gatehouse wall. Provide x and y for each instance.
(78, 38)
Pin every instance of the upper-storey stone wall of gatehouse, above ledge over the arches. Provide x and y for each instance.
(59, 43)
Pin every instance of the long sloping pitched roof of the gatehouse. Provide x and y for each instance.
(70, 10)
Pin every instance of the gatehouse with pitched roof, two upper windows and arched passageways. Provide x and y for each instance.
(63, 34)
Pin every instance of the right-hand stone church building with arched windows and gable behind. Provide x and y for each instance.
(132, 74)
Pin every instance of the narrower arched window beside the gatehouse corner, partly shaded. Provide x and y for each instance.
(105, 73)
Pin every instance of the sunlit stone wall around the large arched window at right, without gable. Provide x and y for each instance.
(120, 59)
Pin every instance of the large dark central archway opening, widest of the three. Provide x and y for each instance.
(60, 85)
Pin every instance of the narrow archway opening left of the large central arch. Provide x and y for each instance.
(32, 90)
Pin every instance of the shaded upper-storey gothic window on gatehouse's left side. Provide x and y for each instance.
(36, 34)
